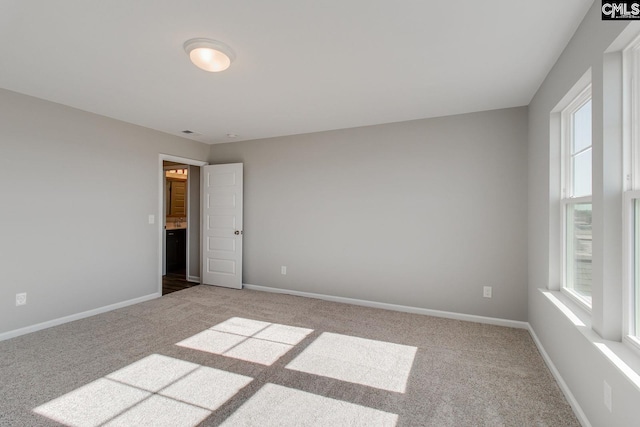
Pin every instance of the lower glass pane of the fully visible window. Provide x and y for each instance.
(578, 250)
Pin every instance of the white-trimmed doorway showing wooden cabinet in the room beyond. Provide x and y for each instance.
(179, 222)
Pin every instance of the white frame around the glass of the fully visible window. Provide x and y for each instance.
(566, 186)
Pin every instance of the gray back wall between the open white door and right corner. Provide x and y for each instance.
(421, 213)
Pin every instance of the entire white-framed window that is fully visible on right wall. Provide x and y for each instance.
(576, 198)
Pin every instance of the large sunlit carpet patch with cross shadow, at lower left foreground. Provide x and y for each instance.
(157, 390)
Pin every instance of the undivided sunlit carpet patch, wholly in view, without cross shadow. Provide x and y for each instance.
(372, 363)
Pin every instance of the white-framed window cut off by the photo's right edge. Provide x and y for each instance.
(631, 186)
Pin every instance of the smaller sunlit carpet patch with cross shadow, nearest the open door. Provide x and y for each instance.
(249, 340)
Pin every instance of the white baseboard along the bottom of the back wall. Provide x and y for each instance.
(395, 307)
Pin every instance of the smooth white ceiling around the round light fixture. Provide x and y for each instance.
(302, 66)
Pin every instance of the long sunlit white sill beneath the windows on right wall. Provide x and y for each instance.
(621, 354)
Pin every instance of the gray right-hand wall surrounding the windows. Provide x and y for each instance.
(581, 364)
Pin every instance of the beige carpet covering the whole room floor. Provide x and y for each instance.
(211, 356)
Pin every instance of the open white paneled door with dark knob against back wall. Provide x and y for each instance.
(222, 225)
